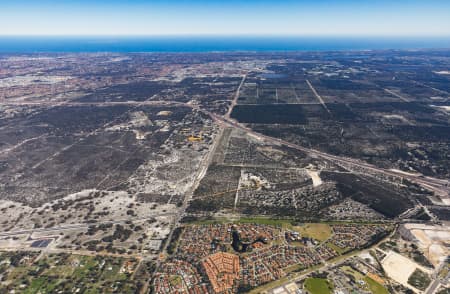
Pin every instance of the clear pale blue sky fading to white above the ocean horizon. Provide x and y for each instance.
(231, 17)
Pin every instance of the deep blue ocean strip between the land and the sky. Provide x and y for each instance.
(212, 44)
